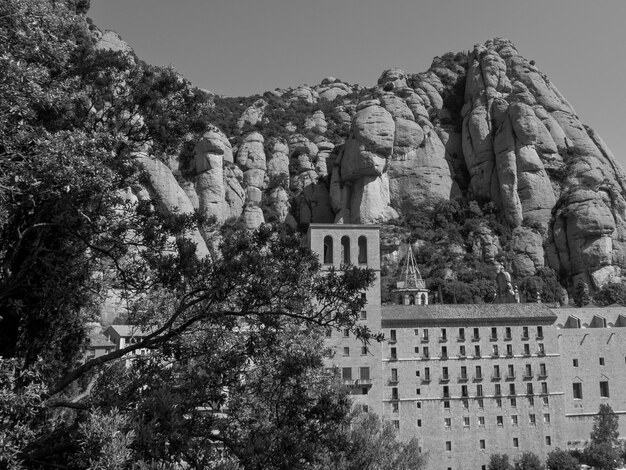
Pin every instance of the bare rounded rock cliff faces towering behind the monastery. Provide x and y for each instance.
(484, 126)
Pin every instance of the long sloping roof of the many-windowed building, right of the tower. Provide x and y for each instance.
(398, 315)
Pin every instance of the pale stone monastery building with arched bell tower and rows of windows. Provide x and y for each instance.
(472, 380)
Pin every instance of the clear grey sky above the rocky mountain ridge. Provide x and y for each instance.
(243, 47)
